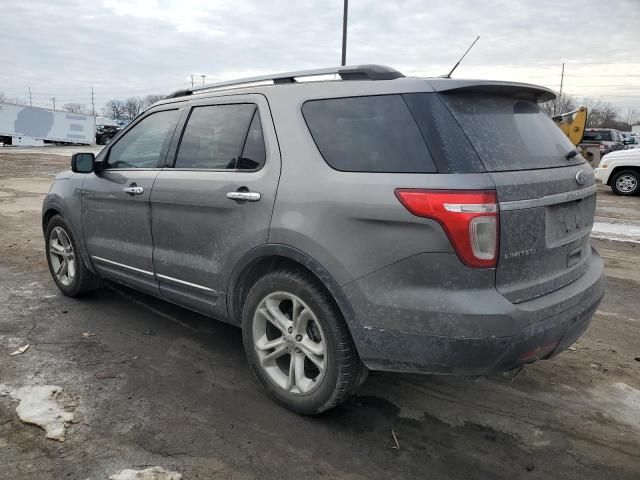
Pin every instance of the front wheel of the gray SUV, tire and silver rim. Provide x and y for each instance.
(64, 258)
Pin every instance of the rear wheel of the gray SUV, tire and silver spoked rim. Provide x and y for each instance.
(298, 344)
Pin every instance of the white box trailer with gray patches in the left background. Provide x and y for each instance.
(32, 125)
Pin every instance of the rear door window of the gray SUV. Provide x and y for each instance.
(215, 136)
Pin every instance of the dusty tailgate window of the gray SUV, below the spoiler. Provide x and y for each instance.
(510, 134)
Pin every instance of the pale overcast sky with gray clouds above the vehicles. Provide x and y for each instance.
(62, 48)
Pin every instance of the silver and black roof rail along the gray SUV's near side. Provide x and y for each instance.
(355, 72)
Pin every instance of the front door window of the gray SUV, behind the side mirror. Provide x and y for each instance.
(146, 144)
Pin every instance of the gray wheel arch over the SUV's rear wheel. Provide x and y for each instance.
(265, 258)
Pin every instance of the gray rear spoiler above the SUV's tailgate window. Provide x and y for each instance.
(523, 91)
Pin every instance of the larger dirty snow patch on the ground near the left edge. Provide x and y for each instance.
(38, 405)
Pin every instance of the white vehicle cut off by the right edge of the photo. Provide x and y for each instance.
(621, 171)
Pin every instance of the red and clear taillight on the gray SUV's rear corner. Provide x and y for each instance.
(469, 218)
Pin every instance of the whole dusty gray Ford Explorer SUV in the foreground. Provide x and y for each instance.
(347, 219)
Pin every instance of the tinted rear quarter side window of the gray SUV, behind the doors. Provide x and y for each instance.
(368, 134)
